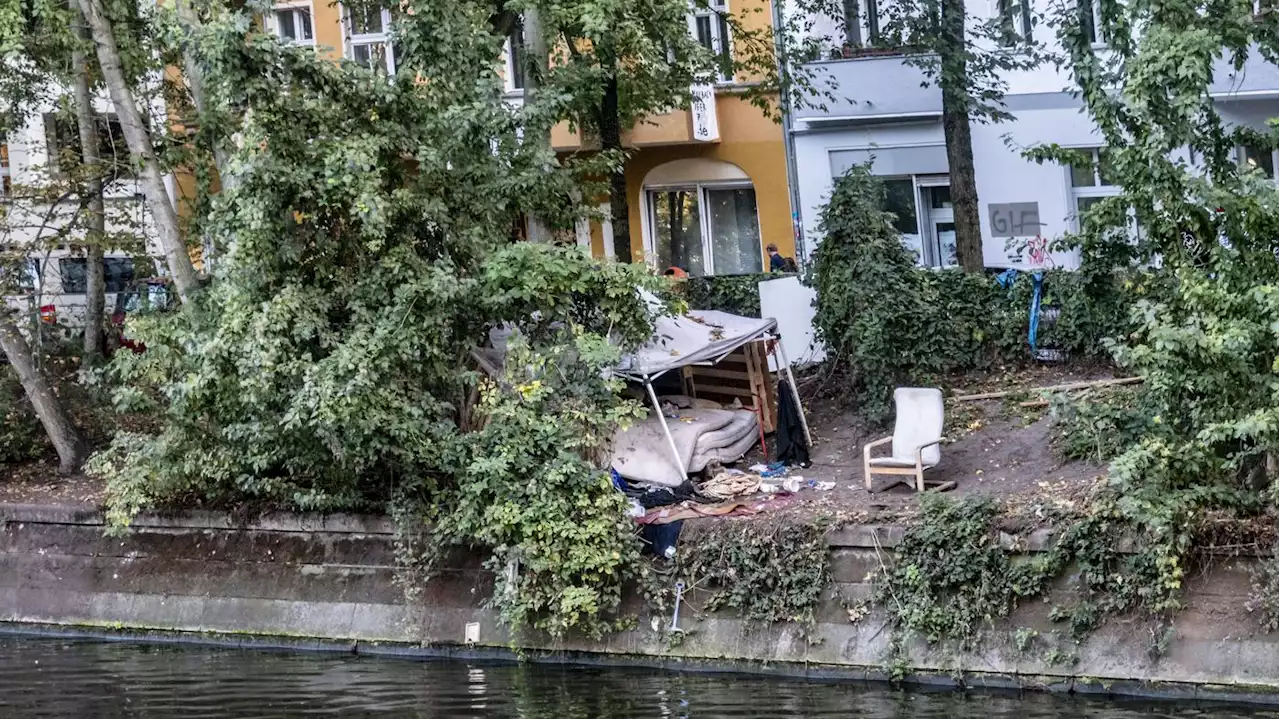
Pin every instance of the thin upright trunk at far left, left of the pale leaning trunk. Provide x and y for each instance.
(95, 230)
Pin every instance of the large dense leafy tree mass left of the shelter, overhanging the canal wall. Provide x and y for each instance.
(368, 257)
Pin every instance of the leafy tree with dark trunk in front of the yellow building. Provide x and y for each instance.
(615, 63)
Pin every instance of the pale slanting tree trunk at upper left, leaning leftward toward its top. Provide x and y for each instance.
(139, 139)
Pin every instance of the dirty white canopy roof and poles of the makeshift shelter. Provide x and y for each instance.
(698, 338)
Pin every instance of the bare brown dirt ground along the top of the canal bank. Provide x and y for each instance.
(994, 447)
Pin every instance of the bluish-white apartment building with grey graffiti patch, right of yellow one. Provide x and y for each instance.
(886, 117)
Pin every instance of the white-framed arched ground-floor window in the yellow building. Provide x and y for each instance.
(706, 230)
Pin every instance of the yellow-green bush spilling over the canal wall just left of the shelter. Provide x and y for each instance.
(533, 491)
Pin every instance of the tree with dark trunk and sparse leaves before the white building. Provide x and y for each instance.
(968, 59)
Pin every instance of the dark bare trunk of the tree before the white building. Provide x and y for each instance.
(954, 80)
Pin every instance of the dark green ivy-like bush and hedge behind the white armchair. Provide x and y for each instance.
(893, 323)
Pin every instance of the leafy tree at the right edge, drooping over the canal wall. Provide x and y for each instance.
(1208, 350)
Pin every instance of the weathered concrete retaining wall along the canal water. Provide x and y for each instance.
(333, 579)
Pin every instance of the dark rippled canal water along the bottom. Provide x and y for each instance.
(83, 679)
